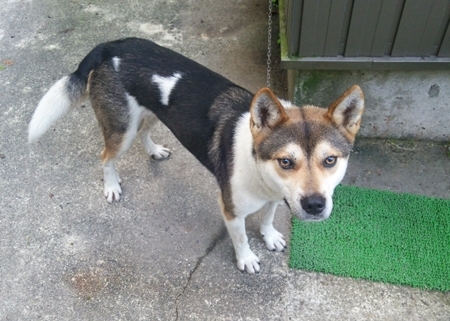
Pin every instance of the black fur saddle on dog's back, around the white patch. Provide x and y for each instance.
(201, 106)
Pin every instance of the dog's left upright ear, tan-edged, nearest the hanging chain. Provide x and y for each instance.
(266, 112)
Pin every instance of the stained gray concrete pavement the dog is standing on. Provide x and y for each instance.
(162, 253)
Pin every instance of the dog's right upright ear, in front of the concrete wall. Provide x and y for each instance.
(346, 112)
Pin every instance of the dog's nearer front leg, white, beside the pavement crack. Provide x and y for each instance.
(246, 259)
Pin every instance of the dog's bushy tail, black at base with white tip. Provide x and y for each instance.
(67, 93)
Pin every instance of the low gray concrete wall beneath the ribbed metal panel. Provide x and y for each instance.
(399, 104)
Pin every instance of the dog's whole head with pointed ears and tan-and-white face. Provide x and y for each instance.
(302, 153)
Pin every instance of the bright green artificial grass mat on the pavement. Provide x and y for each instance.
(382, 236)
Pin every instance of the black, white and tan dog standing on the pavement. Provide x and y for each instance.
(262, 150)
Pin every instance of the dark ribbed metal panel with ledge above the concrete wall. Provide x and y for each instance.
(339, 30)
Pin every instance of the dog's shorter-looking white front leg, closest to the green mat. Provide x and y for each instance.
(274, 240)
